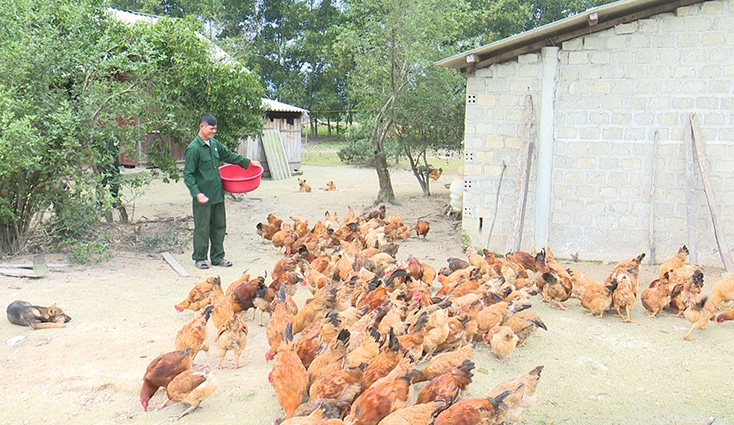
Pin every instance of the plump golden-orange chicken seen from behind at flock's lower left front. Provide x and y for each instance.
(288, 377)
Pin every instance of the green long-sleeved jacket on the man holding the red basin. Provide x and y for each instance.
(201, 171)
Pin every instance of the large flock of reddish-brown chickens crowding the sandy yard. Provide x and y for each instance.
(374, 327)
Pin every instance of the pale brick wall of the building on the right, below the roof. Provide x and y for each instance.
(613, 90)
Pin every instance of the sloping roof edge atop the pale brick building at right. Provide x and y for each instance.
(590, 21)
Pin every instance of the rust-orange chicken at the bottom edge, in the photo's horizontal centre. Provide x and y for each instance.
(380, 400)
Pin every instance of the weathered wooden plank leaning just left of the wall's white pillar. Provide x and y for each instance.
(517, 216)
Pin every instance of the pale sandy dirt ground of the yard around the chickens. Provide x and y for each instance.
(597, 371)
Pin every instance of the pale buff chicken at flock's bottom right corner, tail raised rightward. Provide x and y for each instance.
(521, 397)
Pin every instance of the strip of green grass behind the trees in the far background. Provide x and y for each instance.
(323, 154)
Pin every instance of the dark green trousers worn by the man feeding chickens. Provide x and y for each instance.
(210, 225)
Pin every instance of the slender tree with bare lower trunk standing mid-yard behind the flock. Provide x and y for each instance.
(393, 41)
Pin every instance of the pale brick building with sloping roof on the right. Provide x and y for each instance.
(610, 94)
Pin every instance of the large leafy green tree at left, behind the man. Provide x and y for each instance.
(79, 82)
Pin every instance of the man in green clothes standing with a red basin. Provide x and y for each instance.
(201, 175)
